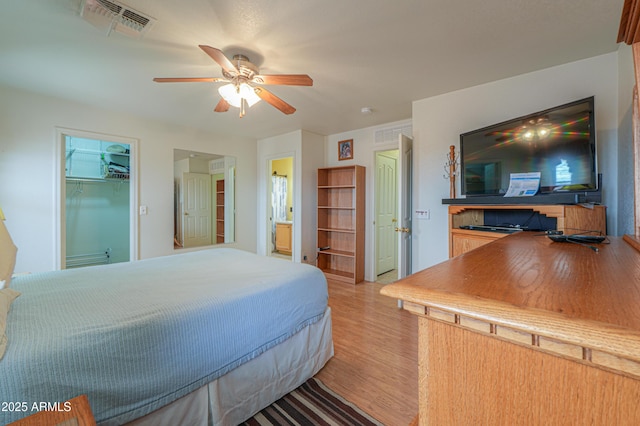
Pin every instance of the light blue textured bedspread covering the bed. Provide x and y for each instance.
(136, 336)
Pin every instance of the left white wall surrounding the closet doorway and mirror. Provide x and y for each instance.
(27, 141)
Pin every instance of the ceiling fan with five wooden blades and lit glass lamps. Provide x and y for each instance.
(244, 86)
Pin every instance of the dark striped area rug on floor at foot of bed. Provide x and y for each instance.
(312, 404)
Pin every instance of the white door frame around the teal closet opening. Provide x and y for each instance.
(59, 191)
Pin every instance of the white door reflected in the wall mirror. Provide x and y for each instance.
(196, 209)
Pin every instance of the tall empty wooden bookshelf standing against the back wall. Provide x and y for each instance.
(341, 210)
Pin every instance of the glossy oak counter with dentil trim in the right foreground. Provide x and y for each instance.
(527, 331)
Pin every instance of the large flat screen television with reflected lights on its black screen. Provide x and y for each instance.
(559, 142)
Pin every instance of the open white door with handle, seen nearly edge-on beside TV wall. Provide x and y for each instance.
(405, 186)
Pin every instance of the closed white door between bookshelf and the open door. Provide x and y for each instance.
(386, 213)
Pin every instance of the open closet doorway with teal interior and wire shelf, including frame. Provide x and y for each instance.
(96, 186)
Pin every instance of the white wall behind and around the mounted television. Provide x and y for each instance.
(438, 122)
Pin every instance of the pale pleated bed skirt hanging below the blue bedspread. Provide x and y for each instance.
(238, 395)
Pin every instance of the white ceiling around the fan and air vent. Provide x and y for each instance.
(381, 54)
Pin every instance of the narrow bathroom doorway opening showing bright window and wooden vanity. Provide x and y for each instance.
(280, 240)
